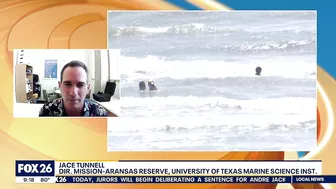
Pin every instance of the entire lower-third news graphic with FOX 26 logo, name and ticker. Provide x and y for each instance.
(51, 171)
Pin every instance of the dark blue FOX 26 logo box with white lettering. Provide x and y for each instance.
(34, 168)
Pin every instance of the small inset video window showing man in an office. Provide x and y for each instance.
(66, 83)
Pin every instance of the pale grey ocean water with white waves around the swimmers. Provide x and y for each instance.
(209, 98)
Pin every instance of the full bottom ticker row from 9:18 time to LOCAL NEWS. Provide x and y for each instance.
(179, 179)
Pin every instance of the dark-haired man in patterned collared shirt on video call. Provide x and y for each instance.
(74, 87)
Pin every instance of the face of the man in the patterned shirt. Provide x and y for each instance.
(74, 87)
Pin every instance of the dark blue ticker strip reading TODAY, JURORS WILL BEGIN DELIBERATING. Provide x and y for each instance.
(173, 179)
